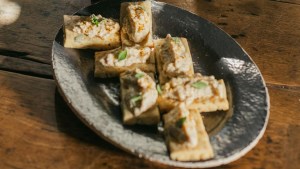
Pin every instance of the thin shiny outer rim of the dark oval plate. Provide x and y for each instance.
(197, 164)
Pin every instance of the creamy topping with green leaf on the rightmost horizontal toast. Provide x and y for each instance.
(187, 89)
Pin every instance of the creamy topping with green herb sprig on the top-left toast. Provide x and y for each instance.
(96, 26)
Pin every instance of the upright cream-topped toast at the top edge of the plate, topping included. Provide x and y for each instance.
(136, 23)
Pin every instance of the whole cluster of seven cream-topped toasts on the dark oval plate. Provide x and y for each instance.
(129, 52)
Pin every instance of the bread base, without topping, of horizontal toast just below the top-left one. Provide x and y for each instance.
(113, 71)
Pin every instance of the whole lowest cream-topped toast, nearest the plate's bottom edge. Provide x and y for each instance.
(185, 135)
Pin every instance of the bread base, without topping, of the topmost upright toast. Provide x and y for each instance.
(126, 41)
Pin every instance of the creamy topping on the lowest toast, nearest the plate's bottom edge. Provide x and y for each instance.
(183, 127)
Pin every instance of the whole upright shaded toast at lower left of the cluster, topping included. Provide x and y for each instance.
(131, 93)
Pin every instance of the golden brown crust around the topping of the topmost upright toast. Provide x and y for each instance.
(148, 41)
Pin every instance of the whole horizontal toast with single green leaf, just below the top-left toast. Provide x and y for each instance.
(113, 62)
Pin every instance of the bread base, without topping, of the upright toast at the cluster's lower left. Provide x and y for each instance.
(149, 117)
